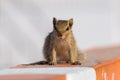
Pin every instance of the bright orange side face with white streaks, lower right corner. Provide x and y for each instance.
(109, 70)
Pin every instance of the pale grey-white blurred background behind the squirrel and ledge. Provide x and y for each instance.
(24, 24)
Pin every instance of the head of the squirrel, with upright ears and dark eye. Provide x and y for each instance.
(62, 27)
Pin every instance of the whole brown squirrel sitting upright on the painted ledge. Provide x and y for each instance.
(60, 45)
